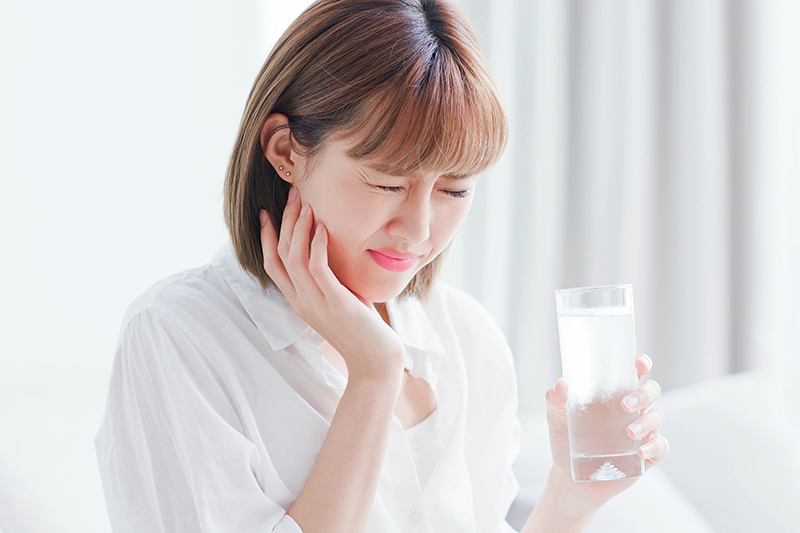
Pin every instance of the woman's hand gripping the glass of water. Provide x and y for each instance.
(654, 446)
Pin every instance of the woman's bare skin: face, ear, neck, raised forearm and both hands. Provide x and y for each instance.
(340, 210)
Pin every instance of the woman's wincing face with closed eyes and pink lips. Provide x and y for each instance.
(382, 229)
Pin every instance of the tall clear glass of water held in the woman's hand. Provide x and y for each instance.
(598, 350)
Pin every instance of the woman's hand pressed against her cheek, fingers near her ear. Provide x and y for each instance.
(297, 261)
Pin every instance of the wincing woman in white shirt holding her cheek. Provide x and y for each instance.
(314, 376)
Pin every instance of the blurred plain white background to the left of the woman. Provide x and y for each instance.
(116, 123)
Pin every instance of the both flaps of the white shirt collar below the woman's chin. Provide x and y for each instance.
(280, 325)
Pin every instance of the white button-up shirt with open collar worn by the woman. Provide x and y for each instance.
(220, 399)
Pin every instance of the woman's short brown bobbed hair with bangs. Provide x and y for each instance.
(406, 78)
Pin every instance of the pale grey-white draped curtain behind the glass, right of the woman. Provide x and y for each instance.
(653, 142)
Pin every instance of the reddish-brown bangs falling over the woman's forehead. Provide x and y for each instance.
(438, 118)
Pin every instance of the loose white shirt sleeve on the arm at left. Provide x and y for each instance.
(173, 449)
